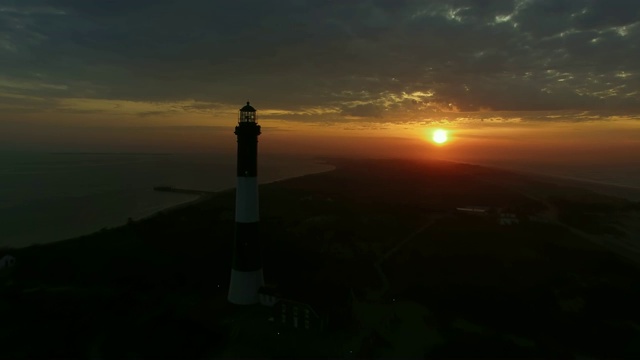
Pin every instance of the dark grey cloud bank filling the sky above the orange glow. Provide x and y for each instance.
(359, 58)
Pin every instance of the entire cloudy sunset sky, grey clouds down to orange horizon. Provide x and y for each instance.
(514, 80)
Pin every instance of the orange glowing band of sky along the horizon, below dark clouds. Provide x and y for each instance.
(192, 127)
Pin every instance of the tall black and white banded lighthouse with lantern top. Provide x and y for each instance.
(246, 271)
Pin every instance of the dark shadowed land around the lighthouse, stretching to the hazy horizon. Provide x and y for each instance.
(550, 272)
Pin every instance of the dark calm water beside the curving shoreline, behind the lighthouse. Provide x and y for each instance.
(49, 197)
